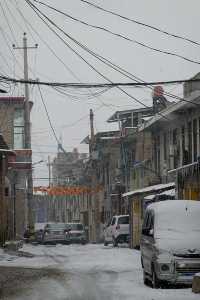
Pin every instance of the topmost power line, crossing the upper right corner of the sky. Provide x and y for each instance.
(141, 23)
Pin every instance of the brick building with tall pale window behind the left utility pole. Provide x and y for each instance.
(12, 127)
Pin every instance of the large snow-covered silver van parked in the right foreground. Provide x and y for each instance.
(170, 242)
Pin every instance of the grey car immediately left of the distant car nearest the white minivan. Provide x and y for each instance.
(54, 233)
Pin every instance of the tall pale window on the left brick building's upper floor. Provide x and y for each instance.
(19, 129)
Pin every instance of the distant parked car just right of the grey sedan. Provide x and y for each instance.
(75, 233)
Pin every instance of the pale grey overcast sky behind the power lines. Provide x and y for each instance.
(69, 115)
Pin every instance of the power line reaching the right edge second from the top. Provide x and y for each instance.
(121, 35)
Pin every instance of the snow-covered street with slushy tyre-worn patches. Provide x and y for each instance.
(87, 272)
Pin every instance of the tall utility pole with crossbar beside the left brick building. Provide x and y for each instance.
(27, 130)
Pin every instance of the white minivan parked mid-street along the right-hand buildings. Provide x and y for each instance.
(117, 230)
